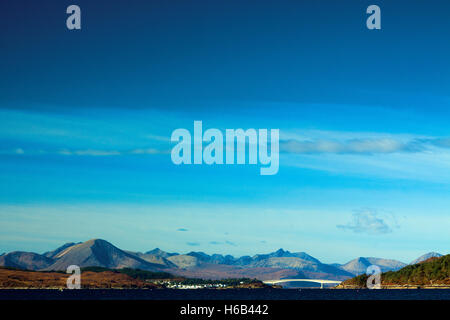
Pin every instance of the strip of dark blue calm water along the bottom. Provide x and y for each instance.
(230, 294)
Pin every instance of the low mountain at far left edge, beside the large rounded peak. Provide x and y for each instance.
(25, 260)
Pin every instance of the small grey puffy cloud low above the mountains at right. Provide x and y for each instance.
(368, 221)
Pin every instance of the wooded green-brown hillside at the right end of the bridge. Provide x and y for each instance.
(432, 272)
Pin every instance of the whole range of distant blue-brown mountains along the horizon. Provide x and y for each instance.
(275, 265)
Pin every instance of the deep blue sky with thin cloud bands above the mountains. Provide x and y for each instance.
(86, 118)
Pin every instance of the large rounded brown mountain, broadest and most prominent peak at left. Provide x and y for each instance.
(99, 253)
